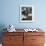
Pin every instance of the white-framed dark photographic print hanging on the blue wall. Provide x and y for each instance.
(26, 13)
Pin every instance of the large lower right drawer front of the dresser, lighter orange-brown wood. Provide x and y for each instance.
(33, 40)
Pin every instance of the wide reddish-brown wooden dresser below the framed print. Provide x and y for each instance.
(23, 39)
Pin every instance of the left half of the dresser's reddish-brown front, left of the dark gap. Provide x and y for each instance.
(12, 39)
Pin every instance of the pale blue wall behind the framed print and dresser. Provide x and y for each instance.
(10, 13)
